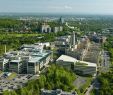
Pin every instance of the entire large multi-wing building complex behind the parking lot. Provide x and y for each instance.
(28, 60)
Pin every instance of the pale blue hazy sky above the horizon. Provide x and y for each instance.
(57, 6)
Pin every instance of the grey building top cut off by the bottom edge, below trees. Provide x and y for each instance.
(56, 92)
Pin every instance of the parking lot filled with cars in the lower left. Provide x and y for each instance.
(16, 82)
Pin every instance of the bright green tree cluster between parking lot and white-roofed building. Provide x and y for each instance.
(55, 78)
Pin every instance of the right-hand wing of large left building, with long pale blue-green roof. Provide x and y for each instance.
(38, 61)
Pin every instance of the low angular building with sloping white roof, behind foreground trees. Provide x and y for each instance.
(80, 67)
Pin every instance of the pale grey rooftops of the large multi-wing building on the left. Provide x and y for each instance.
(31, 54)
